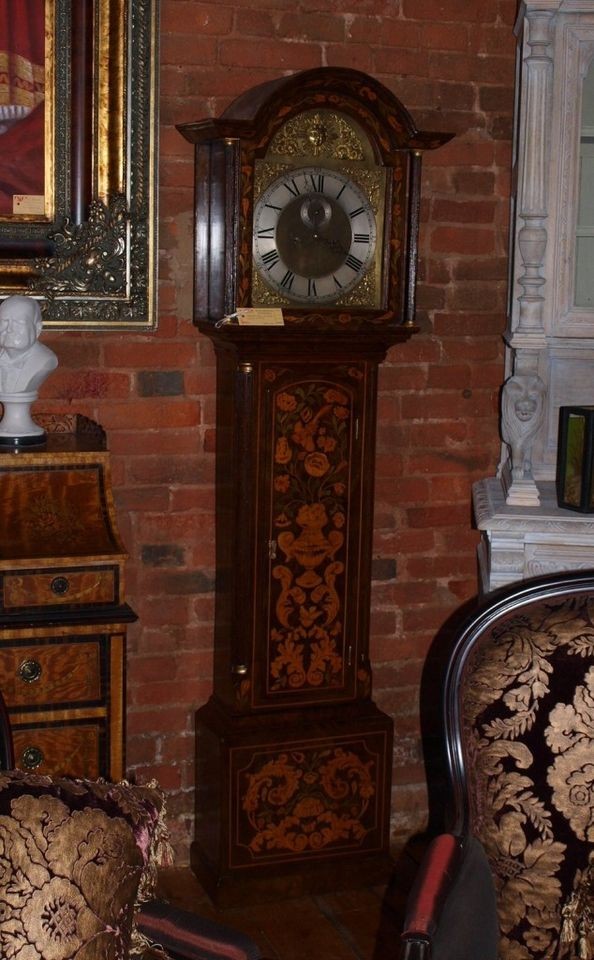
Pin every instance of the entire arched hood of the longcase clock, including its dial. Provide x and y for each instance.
(332, 139)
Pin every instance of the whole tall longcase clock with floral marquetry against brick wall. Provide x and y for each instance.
(307, 200)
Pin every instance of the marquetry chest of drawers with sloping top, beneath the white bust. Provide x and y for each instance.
(63, 617)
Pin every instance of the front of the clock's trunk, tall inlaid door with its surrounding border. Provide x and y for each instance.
(310, 612)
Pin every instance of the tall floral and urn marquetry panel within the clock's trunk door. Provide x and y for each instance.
(313, 422)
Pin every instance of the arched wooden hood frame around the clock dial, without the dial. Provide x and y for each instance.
(229, 151)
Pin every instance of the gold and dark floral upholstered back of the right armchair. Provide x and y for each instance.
(527, 714)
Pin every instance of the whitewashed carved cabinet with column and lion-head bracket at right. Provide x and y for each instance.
(550, 336)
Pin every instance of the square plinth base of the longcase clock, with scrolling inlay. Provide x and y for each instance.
(291, 802)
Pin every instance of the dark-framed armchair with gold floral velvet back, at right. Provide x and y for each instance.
(514, 876)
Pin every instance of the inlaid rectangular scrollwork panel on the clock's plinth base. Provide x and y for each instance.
(328, 797)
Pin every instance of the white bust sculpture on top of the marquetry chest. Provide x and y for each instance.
(24, 365)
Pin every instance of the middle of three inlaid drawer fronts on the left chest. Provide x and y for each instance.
(34, 674)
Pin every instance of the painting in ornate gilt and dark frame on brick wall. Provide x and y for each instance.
(78, 95)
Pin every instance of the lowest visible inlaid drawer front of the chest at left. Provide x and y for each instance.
(64, 750)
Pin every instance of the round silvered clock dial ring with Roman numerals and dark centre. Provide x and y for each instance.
(314, 235)
